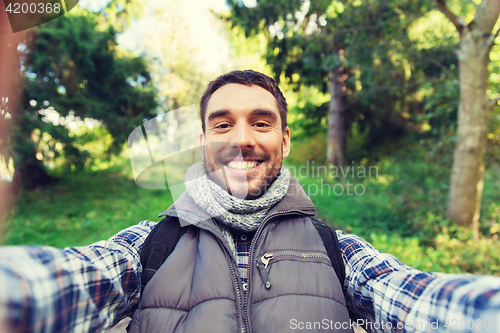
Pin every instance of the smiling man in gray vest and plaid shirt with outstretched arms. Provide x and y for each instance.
(251, 260)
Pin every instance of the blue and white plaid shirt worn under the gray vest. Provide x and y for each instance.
(87, 289)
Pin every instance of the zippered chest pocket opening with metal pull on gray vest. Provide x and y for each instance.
(264, 262)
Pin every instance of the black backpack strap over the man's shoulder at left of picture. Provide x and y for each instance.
(159, 245)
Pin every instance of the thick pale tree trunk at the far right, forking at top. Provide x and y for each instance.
(467, 174)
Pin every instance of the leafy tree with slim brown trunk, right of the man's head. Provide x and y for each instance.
(358, 51)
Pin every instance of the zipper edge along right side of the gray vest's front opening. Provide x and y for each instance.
(246, 306)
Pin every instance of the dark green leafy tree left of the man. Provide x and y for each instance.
(75, 68)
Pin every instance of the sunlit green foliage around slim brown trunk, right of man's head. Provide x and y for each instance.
(373, 43)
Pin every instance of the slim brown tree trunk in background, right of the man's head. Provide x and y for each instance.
(336, 145)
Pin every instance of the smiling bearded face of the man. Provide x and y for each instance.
(244, 143)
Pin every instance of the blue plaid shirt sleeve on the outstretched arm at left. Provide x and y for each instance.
(78, 289)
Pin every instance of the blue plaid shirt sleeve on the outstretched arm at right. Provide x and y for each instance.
(394, 297)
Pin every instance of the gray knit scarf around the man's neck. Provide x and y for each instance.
(232, 212)
